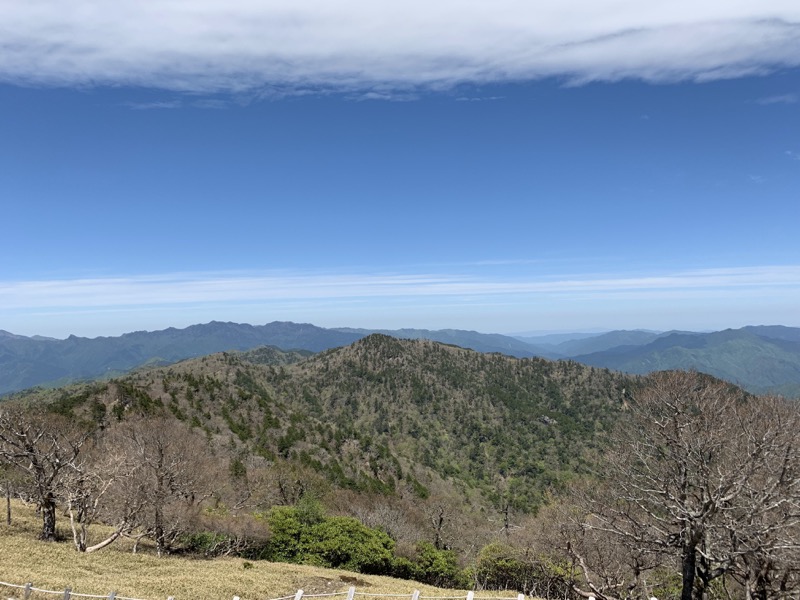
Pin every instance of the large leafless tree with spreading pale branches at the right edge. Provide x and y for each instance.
(701, 473)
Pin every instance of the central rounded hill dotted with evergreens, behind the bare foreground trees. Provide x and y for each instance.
(391, 417)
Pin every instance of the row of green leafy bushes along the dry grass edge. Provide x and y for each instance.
(304, 534)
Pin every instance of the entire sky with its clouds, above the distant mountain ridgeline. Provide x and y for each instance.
(479, 166)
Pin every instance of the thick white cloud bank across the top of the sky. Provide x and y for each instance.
(286, 46)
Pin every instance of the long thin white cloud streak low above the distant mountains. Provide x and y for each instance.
(182, 289)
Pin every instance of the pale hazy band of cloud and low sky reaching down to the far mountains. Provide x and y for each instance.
(695, 299)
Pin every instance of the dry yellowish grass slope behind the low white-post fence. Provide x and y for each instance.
(56, 566)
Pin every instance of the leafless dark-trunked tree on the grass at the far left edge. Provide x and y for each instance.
(44, 447)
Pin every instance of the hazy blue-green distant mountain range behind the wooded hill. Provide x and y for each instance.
(762, 359)
